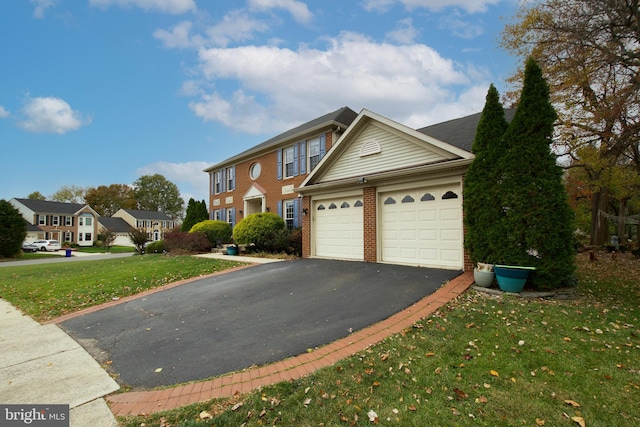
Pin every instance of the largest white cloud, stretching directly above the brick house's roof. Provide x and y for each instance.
(277, 88)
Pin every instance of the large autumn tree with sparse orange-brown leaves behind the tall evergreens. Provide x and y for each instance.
(590, 50)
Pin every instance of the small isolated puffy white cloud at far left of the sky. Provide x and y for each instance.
(51, 115)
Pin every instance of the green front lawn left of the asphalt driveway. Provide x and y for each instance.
(46, 291)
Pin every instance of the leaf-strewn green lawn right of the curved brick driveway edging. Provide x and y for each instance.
(480, 361)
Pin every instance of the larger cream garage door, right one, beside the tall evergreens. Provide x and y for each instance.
(422, 227)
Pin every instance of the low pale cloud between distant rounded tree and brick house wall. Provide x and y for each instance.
(188, 177)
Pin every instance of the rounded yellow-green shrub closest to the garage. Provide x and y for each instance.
(266, 230)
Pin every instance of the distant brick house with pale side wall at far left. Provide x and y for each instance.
(65, 222)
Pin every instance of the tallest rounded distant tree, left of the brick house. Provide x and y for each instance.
(156, 193)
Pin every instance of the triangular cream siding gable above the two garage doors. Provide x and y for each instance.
(396, 151)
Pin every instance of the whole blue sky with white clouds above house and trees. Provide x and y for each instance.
(100, 92)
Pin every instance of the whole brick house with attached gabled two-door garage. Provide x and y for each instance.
(384, 192)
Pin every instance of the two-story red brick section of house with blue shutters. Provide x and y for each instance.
(263, 178)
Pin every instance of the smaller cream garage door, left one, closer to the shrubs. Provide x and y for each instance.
(338, 228)
